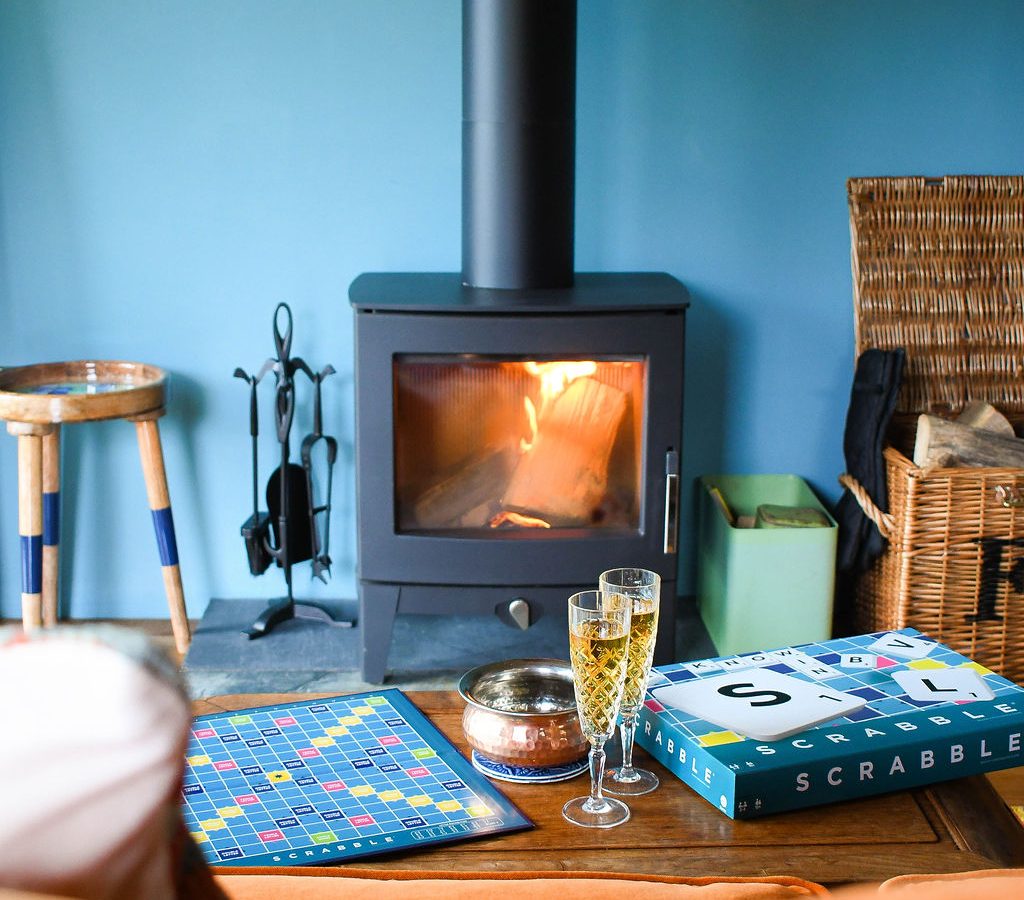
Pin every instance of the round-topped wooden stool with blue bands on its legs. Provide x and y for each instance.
(36, 401)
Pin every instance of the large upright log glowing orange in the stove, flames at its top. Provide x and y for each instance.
(565, 478)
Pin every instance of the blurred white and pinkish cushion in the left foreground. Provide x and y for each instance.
(94, 767)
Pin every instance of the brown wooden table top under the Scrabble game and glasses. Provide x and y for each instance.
(955, 827)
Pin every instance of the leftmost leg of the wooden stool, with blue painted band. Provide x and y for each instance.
(30, 519)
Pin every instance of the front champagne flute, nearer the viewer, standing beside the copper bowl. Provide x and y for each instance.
(600, 632)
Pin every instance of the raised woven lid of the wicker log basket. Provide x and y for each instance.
(938, 270)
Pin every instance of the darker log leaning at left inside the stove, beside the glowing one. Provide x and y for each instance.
(468, 498)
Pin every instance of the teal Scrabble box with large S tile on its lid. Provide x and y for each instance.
(775, 731)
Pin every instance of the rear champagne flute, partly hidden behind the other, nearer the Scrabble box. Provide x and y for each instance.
(643, 589)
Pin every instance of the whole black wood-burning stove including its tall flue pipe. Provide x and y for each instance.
(519, 427)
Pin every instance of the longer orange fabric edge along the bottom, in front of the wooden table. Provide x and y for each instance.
(325, 884)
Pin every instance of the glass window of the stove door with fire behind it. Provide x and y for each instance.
(511, 447)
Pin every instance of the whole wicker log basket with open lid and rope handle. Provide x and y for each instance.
(938, 270)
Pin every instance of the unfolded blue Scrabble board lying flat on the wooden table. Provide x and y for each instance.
(332, 781)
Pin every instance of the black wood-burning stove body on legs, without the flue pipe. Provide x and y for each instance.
(475, 491)
